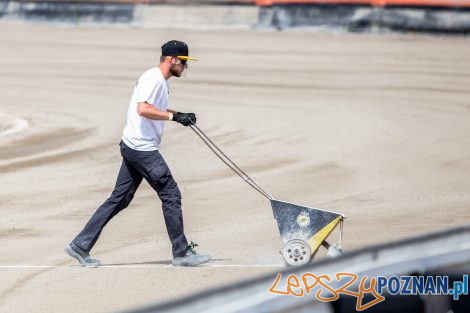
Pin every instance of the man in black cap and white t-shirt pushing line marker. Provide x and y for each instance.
(146, 116)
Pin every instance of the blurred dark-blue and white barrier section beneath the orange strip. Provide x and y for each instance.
(364, 18)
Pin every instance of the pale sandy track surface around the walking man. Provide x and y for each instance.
(374, 126)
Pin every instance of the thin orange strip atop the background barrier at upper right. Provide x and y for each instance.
(380, 3)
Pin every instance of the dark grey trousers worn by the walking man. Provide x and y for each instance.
(137, 165)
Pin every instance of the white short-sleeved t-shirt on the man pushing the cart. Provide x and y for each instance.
(141, 133)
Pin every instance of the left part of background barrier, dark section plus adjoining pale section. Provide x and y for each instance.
(199, 15)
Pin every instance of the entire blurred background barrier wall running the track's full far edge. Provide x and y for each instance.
(280, 16)
